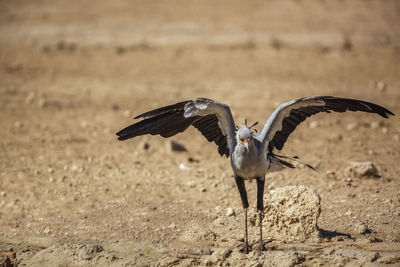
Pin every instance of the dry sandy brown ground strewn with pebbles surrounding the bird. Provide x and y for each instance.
(74, 73)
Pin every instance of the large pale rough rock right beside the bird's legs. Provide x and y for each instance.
(291, 213)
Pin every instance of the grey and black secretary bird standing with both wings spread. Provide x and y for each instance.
(251, 153)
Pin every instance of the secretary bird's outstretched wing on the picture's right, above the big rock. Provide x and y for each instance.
(287, 116)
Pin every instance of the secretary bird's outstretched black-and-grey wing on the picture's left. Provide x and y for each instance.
(213, 119)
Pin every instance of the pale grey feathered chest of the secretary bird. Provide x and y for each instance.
(248, 164)
